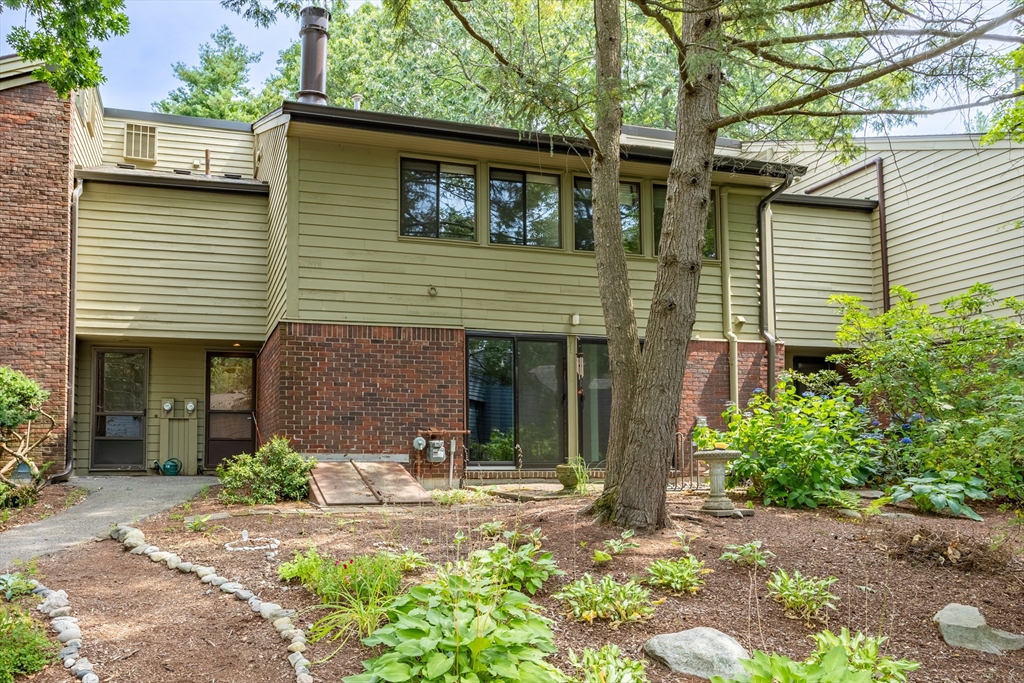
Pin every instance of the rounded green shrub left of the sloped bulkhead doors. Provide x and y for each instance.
(274, 473)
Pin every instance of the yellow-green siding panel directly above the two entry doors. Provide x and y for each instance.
(158, 263)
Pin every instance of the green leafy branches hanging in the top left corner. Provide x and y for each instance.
(63, 37)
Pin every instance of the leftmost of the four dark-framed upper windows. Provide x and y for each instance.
(439, 200)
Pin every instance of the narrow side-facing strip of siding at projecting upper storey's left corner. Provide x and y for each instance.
(273, 147)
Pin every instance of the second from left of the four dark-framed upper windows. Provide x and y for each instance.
(525, 209)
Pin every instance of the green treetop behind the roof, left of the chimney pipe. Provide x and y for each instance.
(217, 89)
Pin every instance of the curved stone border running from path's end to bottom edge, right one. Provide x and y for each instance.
(135, 541)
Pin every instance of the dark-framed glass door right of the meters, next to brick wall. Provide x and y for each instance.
(231, 401)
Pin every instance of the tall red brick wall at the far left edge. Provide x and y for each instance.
(35, 222)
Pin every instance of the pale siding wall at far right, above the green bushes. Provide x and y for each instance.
(952, 205)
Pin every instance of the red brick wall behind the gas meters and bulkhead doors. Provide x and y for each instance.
(347, 389)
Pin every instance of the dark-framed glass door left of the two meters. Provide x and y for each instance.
(119, 417)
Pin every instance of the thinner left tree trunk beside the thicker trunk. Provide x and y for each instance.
(614, 283)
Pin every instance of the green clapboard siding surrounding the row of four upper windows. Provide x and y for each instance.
(355, 268)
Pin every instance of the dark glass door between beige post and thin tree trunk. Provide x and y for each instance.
(595, 403)
